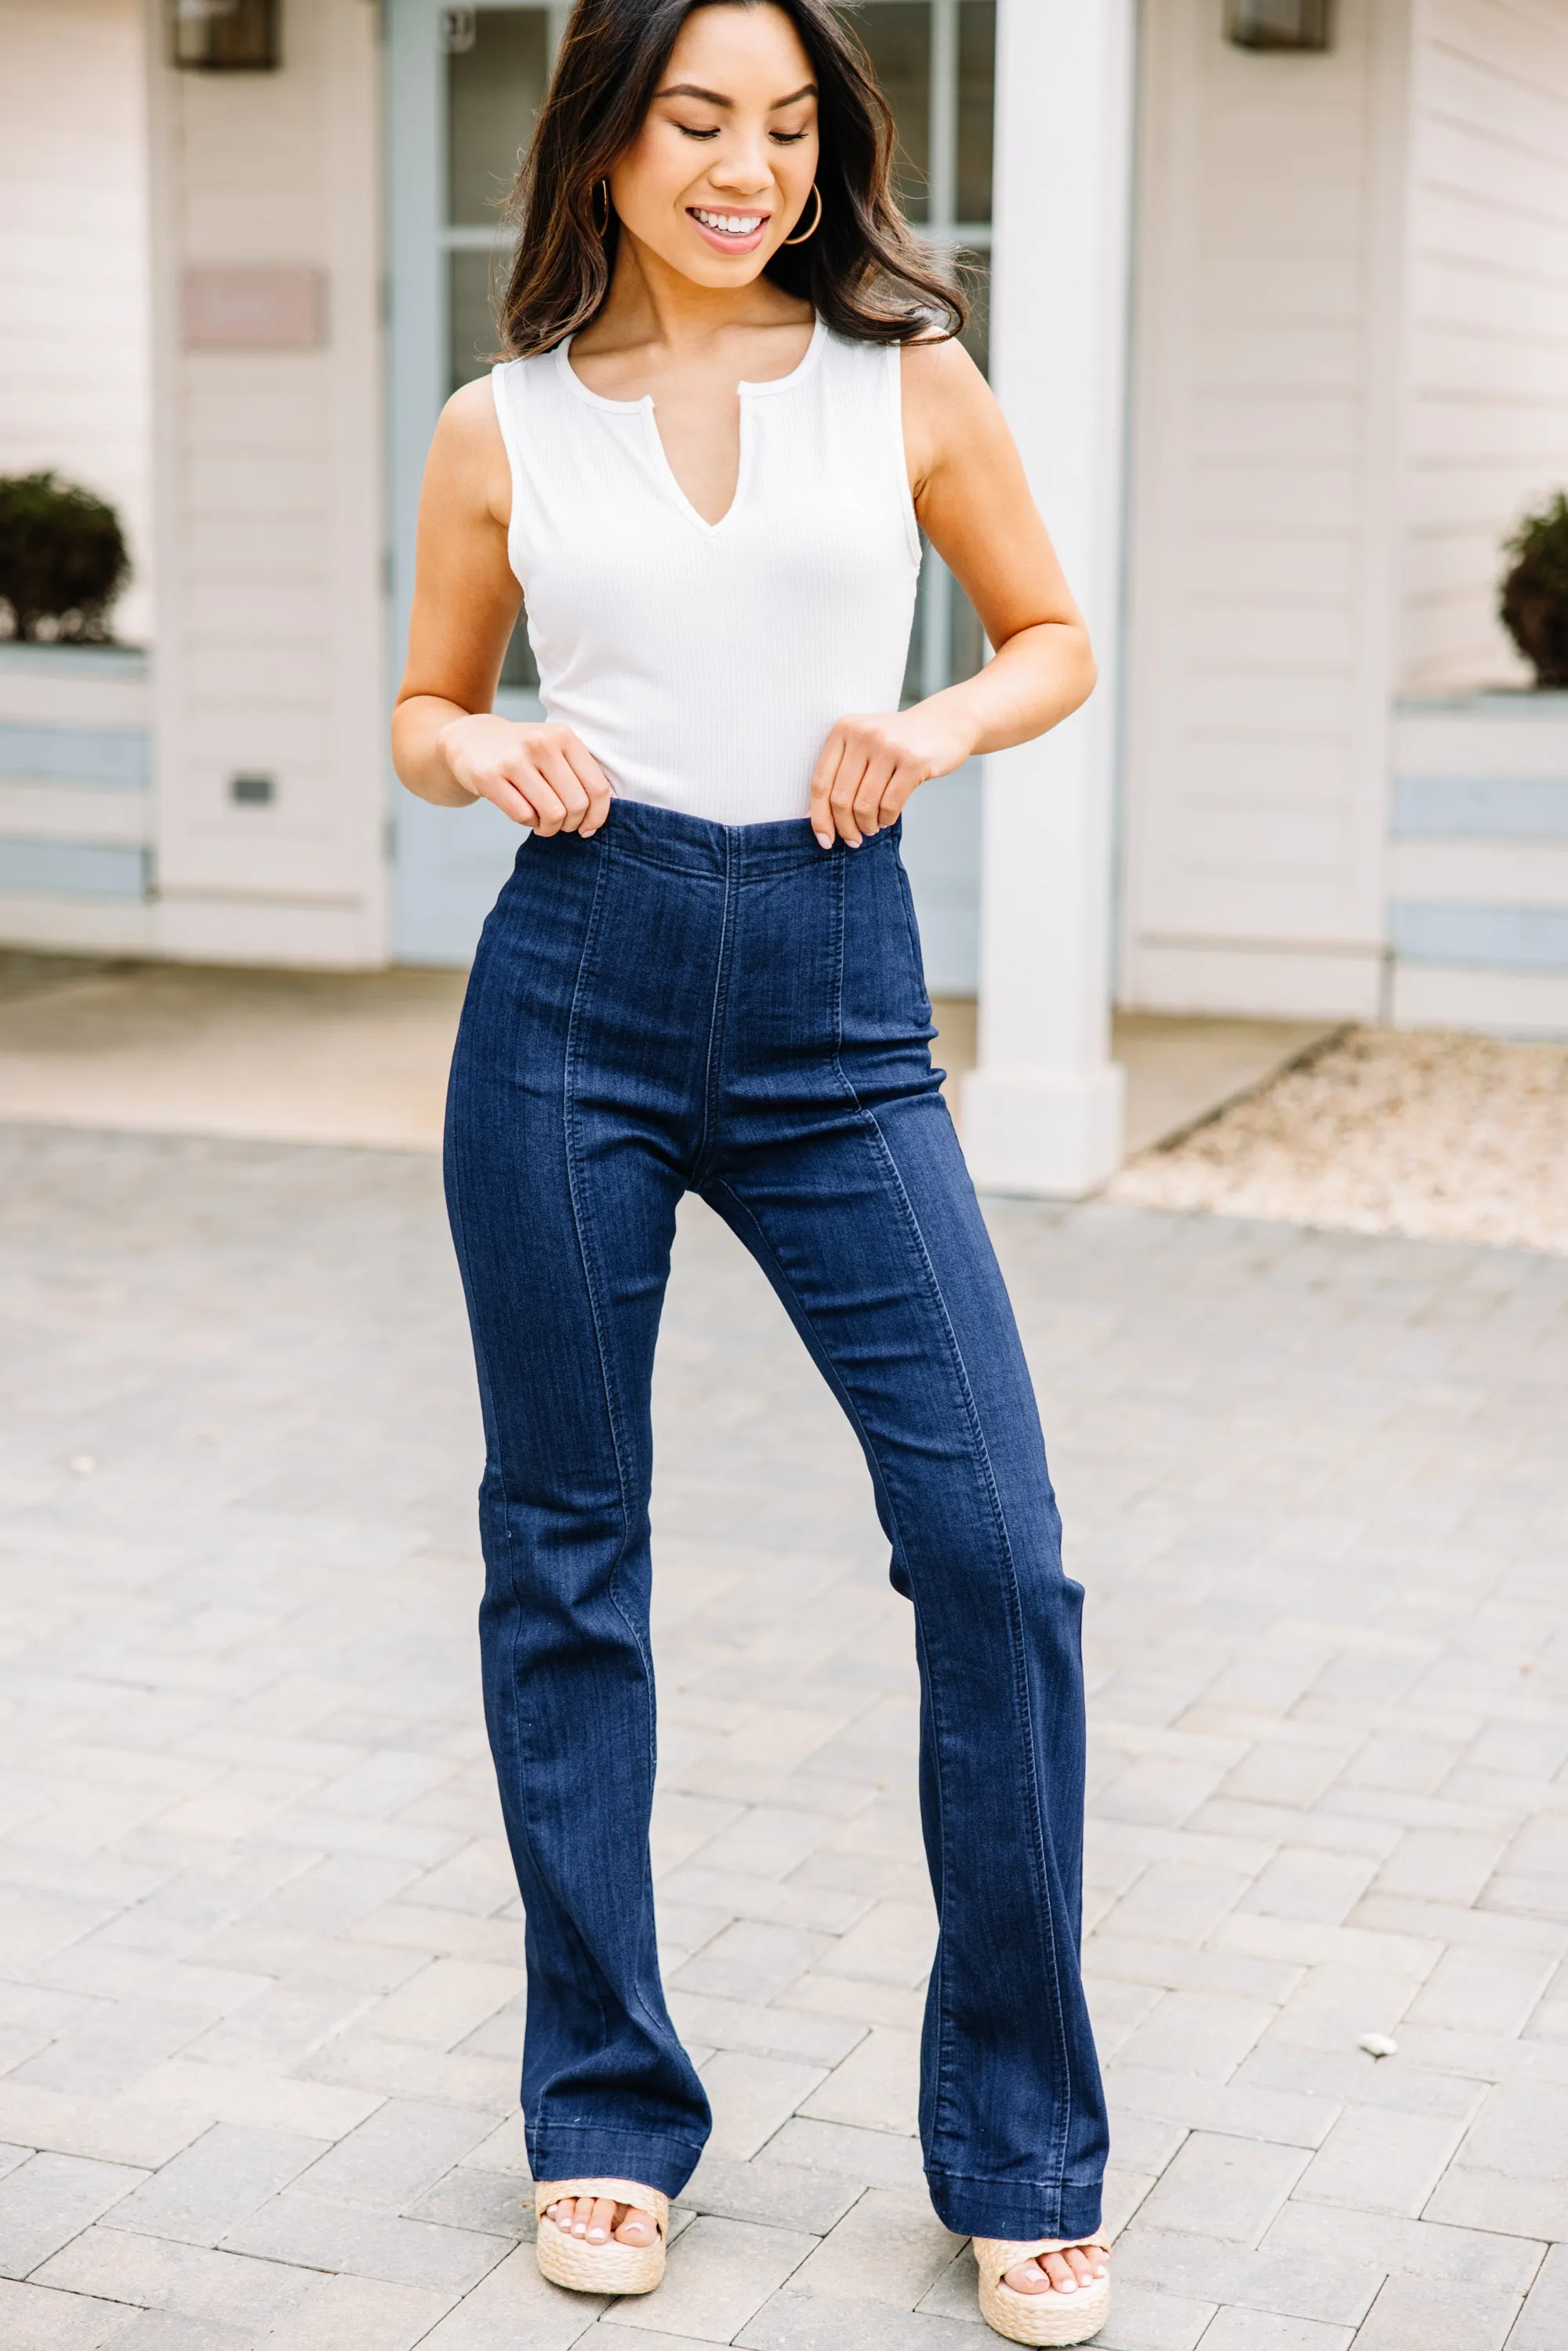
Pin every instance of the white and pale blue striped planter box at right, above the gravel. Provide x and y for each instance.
(1480, 864)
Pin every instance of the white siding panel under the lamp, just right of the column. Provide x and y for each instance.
(1264, 483)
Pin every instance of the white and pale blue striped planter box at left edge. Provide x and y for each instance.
(76, 798)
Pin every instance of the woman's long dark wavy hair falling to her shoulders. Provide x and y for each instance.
(862, 272)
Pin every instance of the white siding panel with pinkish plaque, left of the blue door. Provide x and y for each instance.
(269, 464)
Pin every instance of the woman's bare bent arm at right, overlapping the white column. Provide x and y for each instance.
(974, 504)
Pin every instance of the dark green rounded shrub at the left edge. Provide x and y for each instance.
(62, 561)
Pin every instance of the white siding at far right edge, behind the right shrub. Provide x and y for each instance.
(1489, 321)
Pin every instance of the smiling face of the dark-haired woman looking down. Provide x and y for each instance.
(723, 166)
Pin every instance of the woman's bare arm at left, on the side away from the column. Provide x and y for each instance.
(448, 744)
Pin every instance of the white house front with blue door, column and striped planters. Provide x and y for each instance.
(1285, 337)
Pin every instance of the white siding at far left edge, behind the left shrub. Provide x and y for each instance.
(74, 281)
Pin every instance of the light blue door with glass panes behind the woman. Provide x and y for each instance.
(464, 86)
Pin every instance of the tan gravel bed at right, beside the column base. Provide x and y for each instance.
(1445, 1139)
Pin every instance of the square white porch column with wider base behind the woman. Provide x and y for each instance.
(1043, 1113)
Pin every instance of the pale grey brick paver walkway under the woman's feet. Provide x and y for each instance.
(260, 1953)
